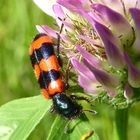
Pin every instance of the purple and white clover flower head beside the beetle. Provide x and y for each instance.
(102, 40)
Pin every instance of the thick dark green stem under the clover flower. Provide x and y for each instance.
(121, 122)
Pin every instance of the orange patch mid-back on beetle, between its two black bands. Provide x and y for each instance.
(49, 64)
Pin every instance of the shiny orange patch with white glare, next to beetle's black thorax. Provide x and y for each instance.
(56, 86)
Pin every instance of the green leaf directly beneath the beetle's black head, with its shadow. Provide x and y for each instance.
(76, 129)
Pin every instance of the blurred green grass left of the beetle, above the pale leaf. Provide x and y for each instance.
(17, 29)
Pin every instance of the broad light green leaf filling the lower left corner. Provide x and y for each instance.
(19, 117)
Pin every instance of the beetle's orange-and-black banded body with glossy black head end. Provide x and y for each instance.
(47, 71)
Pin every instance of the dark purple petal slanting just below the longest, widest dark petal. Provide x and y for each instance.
(109, 81)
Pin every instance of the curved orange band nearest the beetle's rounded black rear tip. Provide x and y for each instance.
(37, 43)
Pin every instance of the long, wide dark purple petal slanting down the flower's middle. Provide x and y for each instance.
(112, 48)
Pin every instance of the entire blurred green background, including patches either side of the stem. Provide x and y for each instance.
(17, 80)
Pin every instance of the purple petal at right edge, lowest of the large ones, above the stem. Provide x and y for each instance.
(133, 73)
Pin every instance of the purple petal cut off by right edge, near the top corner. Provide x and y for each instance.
(136, 17)
